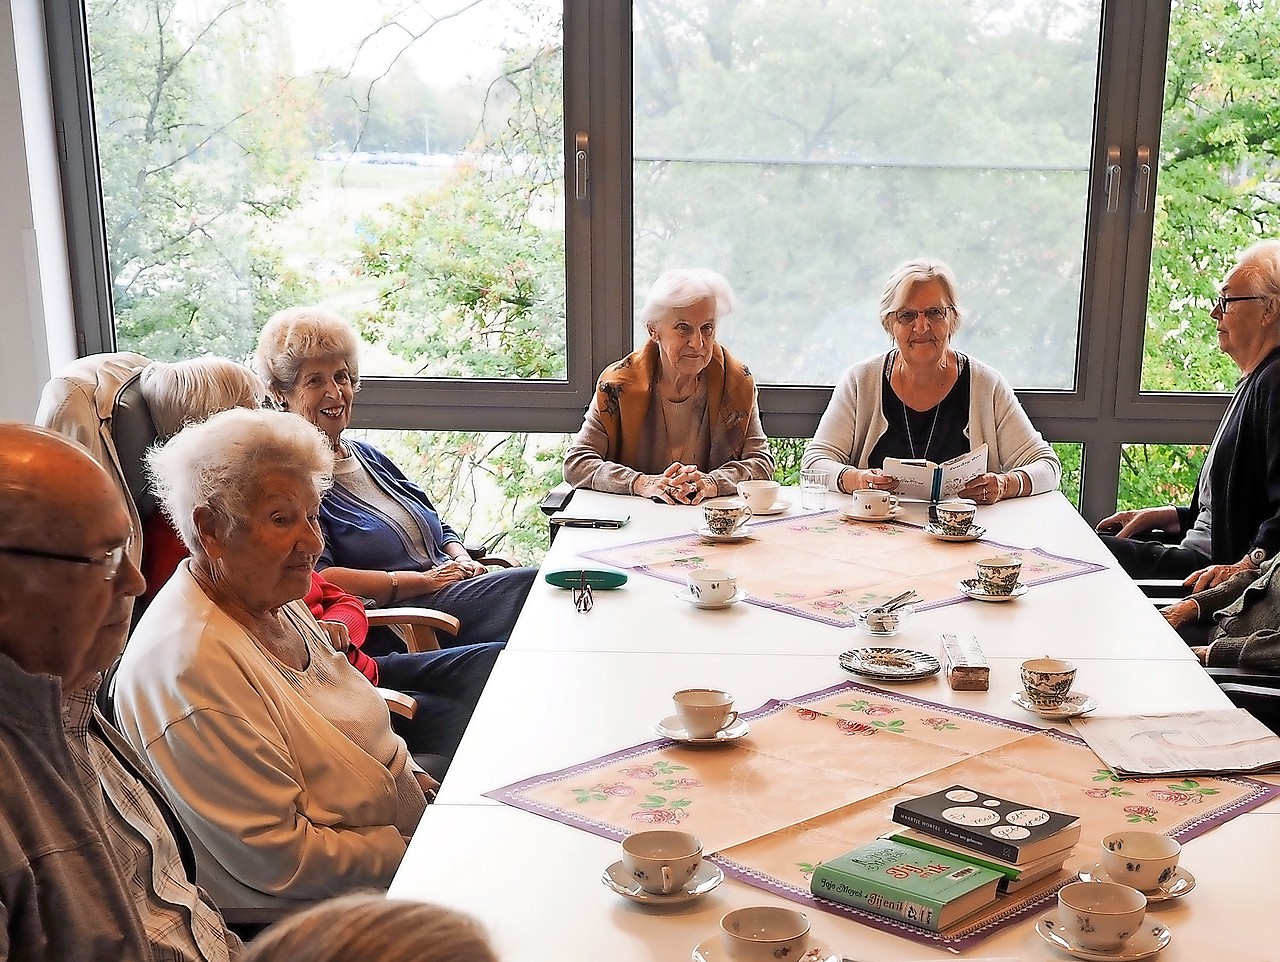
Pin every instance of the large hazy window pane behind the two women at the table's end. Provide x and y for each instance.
(806, 149)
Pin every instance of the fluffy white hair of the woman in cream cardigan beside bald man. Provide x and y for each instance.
(217, 464)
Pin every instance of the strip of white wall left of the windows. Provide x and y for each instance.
(36, 319)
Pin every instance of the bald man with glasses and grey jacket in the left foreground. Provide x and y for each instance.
(93, 863)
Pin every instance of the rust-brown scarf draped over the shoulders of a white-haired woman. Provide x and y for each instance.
(627, 390)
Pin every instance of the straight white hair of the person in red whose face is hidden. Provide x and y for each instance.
(189, 392)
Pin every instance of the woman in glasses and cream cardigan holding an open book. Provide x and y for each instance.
(925, 400)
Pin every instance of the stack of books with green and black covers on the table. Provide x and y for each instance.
(958, 853)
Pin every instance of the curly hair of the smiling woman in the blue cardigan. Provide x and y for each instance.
(300, 335)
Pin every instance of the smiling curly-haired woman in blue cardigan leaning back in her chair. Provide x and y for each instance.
(383, 538)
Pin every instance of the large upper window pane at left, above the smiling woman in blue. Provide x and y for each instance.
(401, 163)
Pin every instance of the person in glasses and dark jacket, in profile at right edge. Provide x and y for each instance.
(1233, 523)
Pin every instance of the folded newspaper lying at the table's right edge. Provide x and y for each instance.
(1182, 744)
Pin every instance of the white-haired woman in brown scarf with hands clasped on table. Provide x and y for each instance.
(676, 420)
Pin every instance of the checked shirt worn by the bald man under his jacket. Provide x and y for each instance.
(180, 922)
